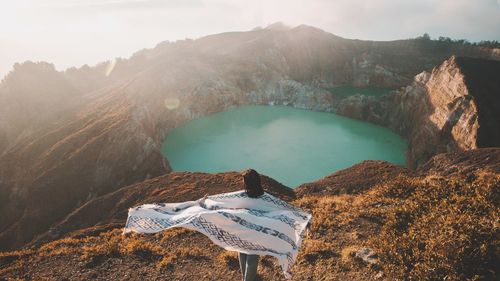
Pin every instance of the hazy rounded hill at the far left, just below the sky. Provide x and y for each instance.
(32, 95)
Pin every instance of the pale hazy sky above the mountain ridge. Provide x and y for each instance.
(76, 32)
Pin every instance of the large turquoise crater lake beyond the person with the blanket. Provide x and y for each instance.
(293, 146)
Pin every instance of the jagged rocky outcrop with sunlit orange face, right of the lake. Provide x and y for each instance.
(450, 109)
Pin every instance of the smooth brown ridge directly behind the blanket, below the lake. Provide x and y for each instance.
(111, 209)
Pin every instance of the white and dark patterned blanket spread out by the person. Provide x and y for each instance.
(263, 226)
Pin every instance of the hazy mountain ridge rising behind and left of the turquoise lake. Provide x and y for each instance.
(69, 137)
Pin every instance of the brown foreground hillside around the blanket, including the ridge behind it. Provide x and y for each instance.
(439, 223)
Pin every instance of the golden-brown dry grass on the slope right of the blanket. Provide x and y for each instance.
(422, 228)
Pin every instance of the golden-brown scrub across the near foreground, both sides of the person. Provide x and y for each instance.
(408, 228)
